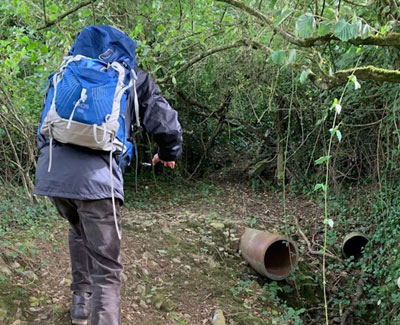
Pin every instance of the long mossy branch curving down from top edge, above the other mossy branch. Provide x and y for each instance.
(392, 39)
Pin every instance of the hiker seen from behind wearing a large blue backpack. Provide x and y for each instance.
(86, 185)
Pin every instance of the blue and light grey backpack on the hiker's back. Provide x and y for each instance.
(87, 99)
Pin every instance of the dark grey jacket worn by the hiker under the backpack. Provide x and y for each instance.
(84, 174)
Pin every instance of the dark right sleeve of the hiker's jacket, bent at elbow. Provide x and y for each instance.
(158, 118)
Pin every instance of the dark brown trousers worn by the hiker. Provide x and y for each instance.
(95, 254)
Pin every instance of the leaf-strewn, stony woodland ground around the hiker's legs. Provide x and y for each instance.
(180, 255)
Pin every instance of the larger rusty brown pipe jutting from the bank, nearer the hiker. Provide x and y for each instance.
(271, 255)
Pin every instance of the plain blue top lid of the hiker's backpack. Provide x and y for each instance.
(105, 43)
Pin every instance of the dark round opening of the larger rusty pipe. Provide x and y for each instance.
(280, 257)
